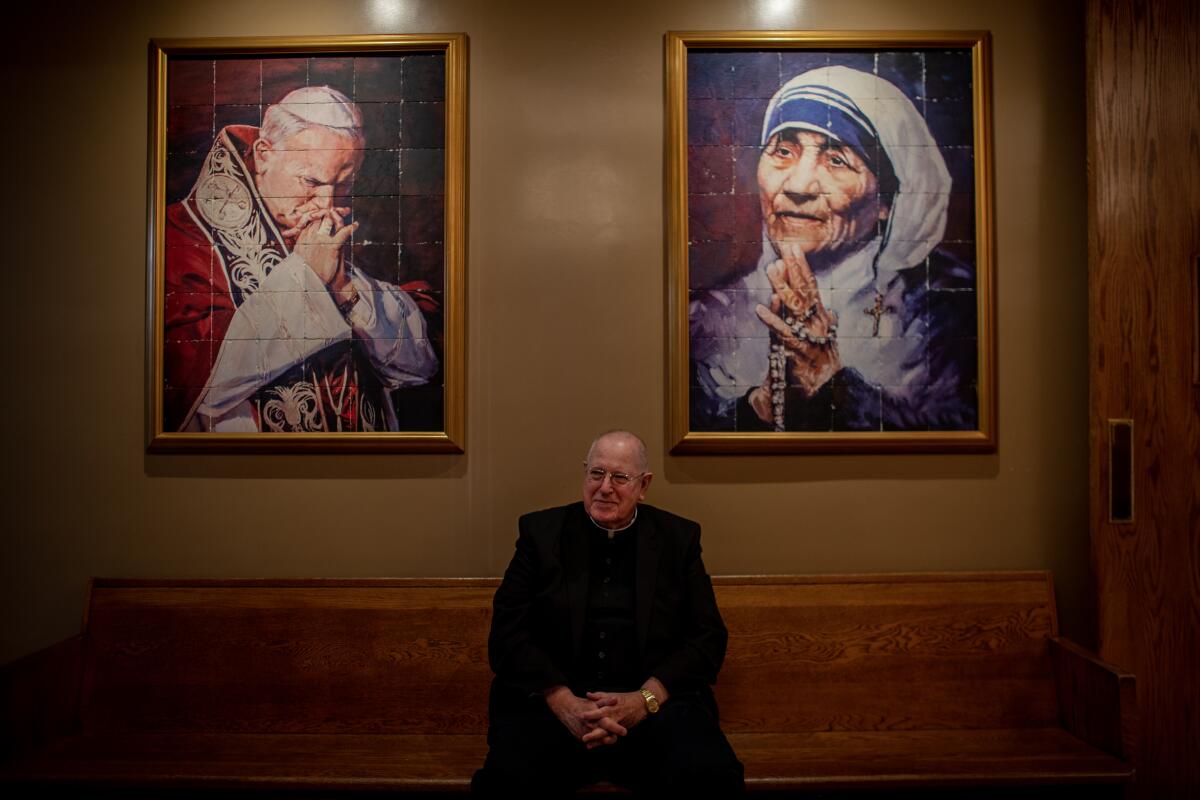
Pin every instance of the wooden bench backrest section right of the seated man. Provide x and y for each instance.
(887, 652)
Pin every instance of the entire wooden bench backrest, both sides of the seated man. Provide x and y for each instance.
(410, 655)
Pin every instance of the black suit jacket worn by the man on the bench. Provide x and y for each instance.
(539, 610)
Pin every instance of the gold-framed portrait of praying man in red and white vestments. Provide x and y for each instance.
(307, 244)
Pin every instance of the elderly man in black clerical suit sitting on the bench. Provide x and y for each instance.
(605, 642)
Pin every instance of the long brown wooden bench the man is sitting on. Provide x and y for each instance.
(836, 683)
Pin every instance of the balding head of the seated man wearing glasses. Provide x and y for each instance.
(613, 500)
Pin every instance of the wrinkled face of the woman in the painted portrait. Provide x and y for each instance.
(820, 194)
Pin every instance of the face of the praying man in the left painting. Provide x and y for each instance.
(305, 173)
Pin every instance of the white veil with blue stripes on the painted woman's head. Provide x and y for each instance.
(878, 122)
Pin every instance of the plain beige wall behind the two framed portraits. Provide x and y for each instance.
(566, 302)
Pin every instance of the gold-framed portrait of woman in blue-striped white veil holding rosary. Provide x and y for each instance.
(829, 204)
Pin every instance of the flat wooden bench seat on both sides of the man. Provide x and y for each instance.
(826, 761)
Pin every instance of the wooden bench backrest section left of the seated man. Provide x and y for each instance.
(289, 657)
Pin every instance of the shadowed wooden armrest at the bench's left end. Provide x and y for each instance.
(40, 696)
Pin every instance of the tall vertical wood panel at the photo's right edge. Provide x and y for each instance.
(1144, 232)
